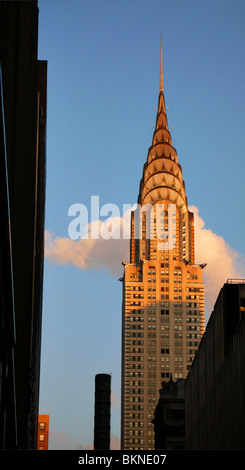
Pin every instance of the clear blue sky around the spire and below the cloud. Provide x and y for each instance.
(103, 83)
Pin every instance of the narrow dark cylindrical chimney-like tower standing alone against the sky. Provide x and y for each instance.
(102, 412)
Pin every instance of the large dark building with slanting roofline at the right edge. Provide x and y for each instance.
(215, 386)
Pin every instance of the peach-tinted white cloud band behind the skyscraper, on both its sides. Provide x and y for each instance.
(223, 262)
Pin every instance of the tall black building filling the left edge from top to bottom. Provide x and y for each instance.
(22, 207)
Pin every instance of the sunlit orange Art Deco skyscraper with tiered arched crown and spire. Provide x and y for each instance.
(163, 292)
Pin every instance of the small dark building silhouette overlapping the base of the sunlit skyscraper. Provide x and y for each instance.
(169, 416)
